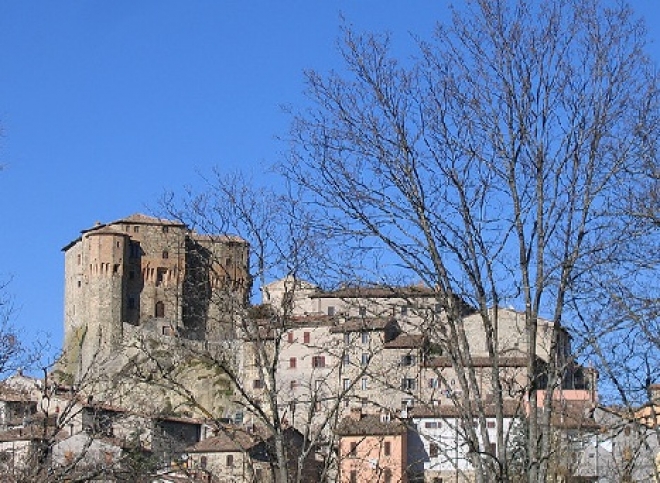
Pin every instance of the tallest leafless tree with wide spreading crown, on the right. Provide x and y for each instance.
(491, 168)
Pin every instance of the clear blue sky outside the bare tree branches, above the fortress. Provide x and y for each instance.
(104, 105)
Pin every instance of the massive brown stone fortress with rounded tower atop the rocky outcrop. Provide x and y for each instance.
(152, 276)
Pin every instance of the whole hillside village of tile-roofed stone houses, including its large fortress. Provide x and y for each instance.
(169, 374)
